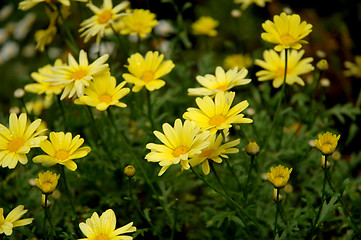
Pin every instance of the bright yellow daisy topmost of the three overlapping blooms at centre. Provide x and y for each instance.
(217, 114)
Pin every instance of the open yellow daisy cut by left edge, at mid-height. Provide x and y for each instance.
(17, 140)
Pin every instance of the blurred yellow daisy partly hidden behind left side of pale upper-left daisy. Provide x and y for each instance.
(41, 86)
